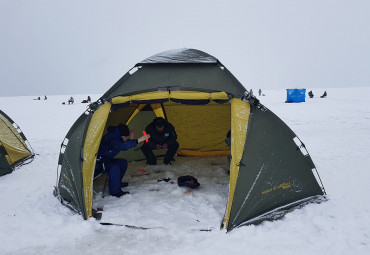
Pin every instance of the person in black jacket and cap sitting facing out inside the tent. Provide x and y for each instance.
(162, 136)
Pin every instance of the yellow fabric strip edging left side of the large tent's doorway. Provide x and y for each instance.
(91, 146)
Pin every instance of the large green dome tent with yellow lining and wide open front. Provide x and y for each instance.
(270, 170)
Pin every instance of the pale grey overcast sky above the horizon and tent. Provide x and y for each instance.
(80, 47)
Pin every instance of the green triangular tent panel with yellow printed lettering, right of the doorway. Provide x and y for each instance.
(274, 172)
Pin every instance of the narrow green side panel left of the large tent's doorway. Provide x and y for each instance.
(70, 180)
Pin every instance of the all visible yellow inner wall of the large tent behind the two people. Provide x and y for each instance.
(201, 129)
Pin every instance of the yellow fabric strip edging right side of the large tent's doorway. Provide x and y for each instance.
(240, 111)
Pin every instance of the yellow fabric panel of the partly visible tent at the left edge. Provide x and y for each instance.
(13, 143)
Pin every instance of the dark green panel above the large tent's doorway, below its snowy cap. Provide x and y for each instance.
(201, 77)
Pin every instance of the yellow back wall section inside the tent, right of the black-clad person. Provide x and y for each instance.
(200, 127)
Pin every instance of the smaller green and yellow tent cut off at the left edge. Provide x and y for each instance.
(15, 150)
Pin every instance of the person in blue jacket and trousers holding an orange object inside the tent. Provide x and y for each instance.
(119, 138)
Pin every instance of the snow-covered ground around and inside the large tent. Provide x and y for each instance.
(335, 130)
